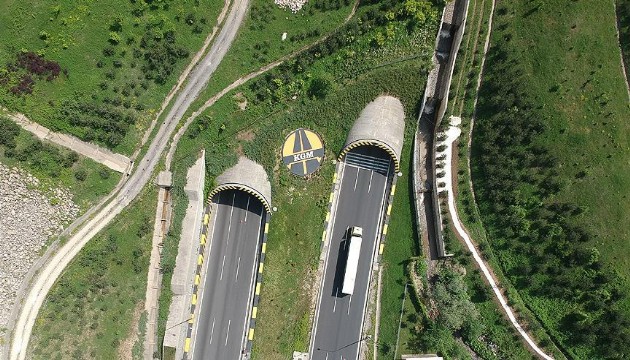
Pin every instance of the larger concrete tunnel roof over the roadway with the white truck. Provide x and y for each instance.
(381, 124)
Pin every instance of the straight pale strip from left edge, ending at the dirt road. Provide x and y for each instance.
(116, 162)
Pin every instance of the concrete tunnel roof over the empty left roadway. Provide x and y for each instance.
(247, 176)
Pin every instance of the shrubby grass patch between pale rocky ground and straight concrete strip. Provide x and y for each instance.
(46, 162)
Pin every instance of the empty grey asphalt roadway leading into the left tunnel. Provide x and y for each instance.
(229, 280)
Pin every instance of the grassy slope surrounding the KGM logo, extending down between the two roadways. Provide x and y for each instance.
(226, 131)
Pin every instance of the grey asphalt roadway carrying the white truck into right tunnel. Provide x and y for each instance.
(339, 318)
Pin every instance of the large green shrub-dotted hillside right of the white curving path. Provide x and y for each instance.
(576, 90)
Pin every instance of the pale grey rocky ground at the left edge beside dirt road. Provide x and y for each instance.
(30, 213)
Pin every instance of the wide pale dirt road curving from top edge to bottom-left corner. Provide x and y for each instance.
(143, 171)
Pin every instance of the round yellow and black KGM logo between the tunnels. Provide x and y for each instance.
(303, 152)
